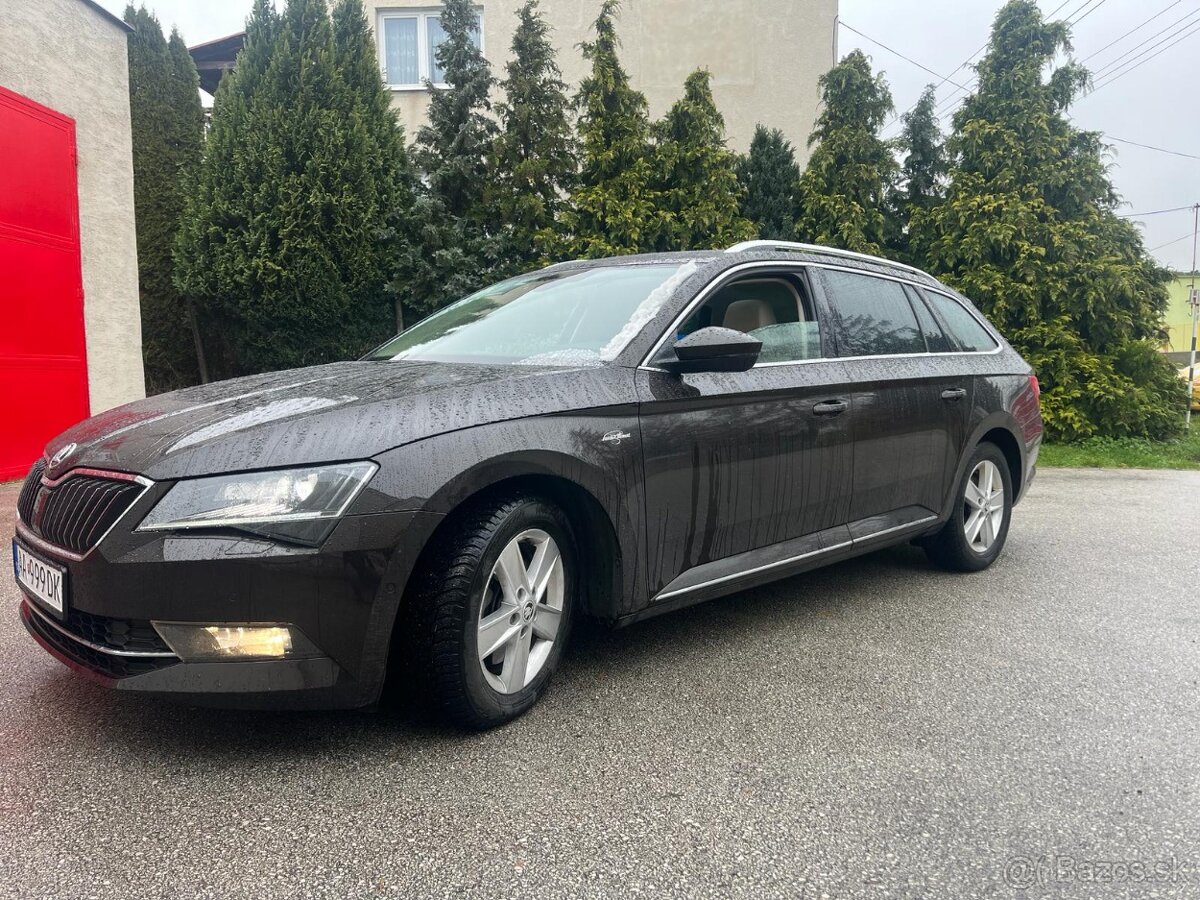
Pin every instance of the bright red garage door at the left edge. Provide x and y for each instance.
(44, 365)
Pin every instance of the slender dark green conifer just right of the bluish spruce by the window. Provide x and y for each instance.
(536, 152)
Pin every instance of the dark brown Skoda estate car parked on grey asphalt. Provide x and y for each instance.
(615, 439)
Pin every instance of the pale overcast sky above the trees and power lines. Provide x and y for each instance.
(1154, 104)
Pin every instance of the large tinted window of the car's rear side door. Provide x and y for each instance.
(875, 314)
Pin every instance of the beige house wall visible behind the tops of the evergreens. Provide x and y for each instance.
(765, 56)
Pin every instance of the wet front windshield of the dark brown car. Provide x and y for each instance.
(568, 319)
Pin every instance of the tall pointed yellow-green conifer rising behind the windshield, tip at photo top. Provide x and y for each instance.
(614, 207)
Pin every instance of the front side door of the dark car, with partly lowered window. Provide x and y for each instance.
(747, 471)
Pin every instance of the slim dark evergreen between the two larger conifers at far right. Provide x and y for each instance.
(923, 172)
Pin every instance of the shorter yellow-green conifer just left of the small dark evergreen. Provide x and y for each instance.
(698, 175)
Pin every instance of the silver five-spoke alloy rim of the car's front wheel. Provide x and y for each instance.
(521, 613)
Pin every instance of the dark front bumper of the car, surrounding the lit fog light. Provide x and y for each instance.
(344, 597)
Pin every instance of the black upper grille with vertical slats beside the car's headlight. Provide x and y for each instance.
(76, 513)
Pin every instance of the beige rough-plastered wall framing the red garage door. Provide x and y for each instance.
(68, 56)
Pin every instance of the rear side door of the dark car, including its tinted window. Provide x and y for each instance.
(910, 401)
